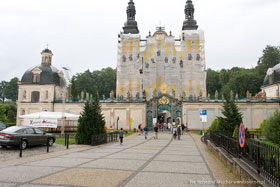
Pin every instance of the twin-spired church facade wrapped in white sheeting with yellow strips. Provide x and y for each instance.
(161, 63)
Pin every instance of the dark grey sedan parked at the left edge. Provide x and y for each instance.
(11, 136)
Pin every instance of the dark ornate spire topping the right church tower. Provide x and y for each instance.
(189, 23)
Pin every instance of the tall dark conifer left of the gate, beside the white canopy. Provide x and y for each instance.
(91, 122)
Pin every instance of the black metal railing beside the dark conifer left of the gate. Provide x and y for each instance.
(104, 138)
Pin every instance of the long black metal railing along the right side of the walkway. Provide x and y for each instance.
(265, 159)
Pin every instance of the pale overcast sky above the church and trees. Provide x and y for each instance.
(83, 34)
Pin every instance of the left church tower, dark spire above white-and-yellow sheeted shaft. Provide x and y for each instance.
(128, 75)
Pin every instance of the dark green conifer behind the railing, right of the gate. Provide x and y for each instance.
(232, 117)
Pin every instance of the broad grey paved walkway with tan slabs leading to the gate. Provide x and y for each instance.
(138, 162)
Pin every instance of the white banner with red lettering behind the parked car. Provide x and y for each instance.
(48, 123)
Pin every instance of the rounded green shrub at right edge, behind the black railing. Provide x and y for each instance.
(272, 128)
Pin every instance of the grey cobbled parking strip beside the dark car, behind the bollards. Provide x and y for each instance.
(11, 153)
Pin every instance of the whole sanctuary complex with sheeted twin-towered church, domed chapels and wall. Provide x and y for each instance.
(159, 78)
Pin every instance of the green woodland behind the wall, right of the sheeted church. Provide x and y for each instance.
(239, 80)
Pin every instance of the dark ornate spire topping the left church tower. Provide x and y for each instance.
(130, 25)
